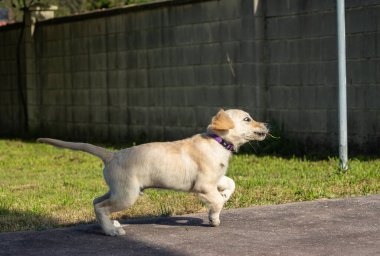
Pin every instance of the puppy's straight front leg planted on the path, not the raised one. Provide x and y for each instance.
(215, 203)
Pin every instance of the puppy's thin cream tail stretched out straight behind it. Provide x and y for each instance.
(102, 153)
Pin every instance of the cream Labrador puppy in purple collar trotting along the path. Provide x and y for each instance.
(197, 164)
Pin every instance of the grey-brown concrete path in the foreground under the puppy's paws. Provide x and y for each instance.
(325, 227)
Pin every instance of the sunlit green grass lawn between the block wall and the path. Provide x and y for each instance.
(43, 187)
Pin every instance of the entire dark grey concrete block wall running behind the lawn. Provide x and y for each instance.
(160, 71)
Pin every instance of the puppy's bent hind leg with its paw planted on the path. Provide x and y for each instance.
(109, 203)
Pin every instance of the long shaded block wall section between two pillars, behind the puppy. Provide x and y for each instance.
(152, 74)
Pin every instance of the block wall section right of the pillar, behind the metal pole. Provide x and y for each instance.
(302, 71)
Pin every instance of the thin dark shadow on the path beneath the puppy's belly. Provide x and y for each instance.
(167, 221)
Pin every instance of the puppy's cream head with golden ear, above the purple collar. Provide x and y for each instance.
(237, 127)
